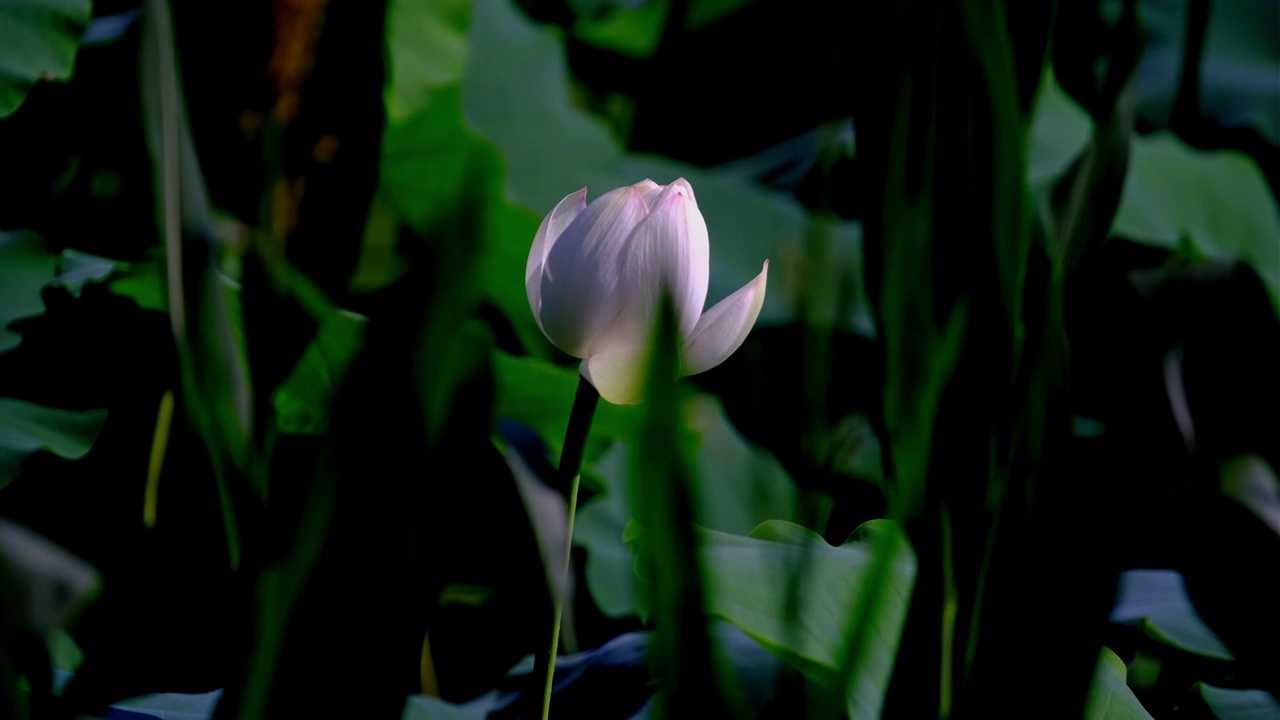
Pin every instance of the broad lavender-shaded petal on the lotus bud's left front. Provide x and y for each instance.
(580, 276)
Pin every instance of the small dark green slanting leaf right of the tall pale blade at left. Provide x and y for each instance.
(304, 399)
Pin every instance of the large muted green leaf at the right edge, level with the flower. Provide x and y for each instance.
(1218, 200)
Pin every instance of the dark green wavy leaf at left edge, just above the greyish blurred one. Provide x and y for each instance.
(26, 429)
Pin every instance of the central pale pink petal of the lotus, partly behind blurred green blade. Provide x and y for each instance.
(668, 252)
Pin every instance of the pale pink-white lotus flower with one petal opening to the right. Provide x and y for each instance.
(597, 274)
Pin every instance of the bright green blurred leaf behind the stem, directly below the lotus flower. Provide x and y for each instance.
(541, 395)
